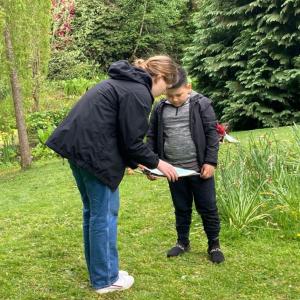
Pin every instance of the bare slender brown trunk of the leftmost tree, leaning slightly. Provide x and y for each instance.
(18, 104)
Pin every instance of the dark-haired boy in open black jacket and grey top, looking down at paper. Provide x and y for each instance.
(183, 132)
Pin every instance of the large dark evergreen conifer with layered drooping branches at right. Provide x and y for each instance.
(246, 56)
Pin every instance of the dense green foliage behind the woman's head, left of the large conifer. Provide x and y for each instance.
(106, 31)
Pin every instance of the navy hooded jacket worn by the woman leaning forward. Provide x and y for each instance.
(104, 131)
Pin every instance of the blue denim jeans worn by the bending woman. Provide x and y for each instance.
(100, 216)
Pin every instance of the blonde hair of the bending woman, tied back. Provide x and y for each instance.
(159, 65)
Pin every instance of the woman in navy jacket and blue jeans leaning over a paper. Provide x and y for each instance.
(102, 135)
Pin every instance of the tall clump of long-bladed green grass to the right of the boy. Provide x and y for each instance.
(258, 184)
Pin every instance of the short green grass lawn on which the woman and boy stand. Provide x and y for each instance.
(41, 253)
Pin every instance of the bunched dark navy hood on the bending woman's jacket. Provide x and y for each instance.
(122, 70)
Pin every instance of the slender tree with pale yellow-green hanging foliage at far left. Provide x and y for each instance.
(19, 38)
